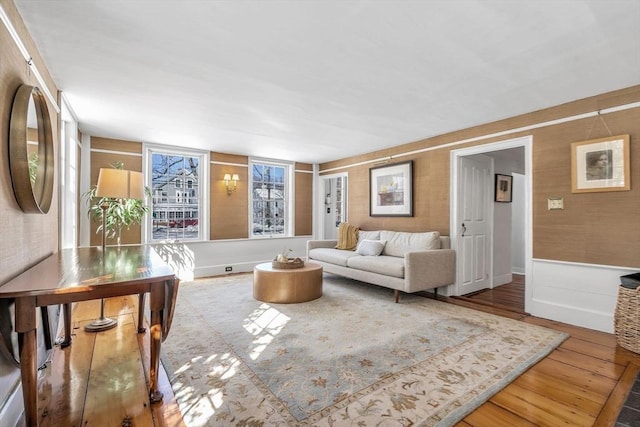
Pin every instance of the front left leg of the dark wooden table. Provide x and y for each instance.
(26, 328)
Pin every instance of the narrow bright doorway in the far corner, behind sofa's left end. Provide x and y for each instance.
(333, 204)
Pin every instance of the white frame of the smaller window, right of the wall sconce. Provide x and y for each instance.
(289, 201)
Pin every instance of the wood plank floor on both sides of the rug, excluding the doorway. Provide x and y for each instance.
(99, 380)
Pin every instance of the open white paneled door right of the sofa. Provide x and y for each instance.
(474, 248)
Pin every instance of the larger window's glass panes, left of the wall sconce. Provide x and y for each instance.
(176, 213)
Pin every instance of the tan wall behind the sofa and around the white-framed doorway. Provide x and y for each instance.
(598, 228)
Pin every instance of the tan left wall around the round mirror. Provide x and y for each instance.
(26, 238)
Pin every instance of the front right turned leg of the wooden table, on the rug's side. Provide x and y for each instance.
(157, 302)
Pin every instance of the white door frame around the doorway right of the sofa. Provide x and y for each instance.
(455, 155)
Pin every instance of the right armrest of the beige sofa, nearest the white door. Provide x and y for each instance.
(429, 269)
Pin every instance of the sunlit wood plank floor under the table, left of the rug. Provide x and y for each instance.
(99, 379)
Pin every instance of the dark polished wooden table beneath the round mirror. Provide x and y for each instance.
(82, 274)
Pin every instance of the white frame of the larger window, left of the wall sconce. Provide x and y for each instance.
(202, 193)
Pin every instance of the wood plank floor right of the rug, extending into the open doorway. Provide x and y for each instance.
(584, 382)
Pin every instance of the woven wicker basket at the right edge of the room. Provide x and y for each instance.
(627, 318)
